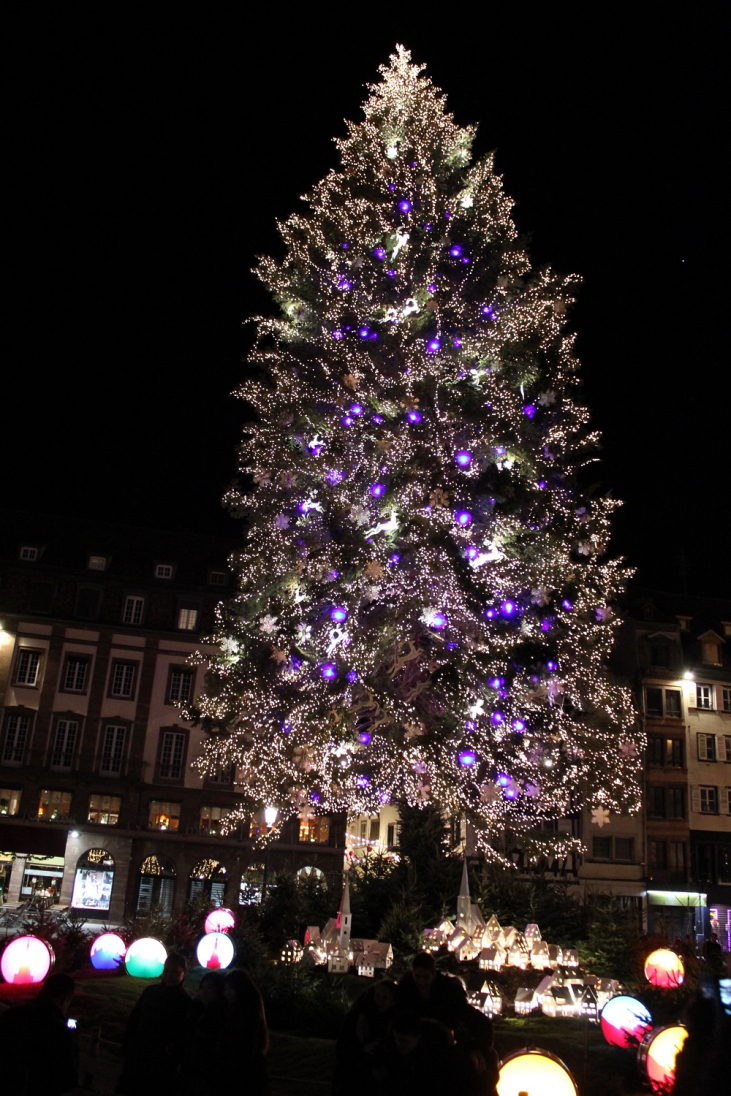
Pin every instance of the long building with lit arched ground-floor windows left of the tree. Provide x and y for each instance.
(100, 807)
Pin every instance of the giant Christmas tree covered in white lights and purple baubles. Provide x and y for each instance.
(425, 603)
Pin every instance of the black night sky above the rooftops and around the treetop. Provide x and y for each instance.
(152, 154)
